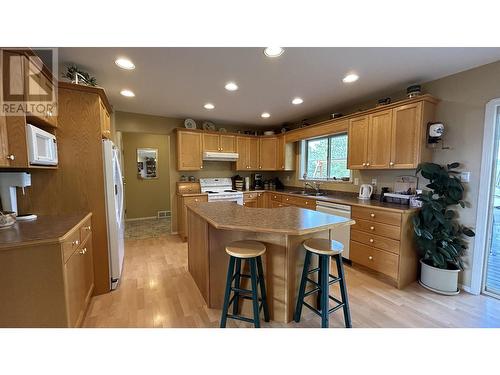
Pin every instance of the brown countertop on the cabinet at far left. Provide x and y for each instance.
(45, 229)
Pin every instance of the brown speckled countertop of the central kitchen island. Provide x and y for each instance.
(284, 220)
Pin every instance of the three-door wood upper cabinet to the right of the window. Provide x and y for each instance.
(391, 138)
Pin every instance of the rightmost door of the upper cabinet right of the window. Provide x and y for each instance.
(406, 136)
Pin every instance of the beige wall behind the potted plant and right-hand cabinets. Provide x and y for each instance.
(463, 98)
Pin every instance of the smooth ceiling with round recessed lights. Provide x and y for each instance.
(177, 82)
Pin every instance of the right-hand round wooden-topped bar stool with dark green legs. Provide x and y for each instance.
(324, 249)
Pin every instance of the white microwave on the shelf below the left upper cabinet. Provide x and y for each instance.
(42, 146)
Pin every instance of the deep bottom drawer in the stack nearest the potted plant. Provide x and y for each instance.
(378, 260)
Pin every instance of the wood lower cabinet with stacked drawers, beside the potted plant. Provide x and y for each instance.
(382, 240)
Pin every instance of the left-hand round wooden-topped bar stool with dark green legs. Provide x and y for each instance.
(251, 251)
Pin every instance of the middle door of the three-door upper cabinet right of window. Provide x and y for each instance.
(379, 147)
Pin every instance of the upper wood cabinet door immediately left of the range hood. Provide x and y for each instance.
(189, 151)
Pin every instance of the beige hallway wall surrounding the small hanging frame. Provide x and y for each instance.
(144, 198)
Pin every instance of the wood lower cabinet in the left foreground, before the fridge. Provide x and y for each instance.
(48, 283)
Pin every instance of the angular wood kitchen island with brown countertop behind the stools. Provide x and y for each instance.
(211, 226)
